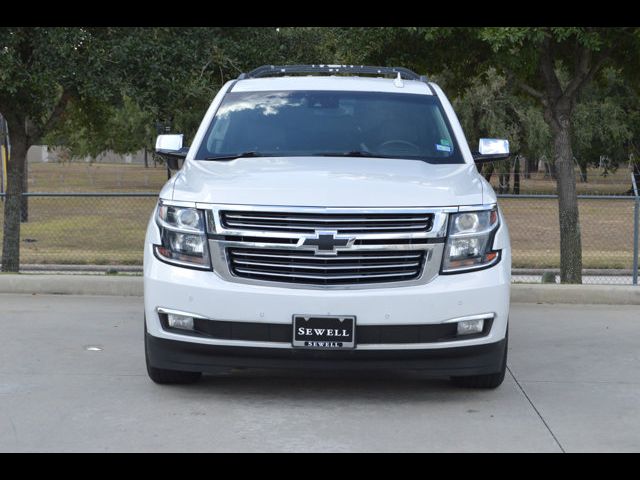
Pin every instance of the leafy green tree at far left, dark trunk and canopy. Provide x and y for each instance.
(49, 76)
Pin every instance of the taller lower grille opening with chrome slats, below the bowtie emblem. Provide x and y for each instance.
(345, 268)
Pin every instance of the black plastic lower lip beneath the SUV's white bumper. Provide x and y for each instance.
(187, 356)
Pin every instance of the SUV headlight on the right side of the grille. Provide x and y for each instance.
(470, 241)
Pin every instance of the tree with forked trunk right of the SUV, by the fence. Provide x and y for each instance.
(554, 65)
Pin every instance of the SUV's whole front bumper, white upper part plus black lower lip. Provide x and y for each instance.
(206, 294)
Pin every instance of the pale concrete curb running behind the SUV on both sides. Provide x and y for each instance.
(126, 286)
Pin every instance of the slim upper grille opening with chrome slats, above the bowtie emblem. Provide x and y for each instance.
(345, 223)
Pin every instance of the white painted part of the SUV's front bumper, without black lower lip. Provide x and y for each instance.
(446, 298)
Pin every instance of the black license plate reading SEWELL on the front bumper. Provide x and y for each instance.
(314, 331)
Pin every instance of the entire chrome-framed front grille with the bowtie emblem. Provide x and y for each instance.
(293, 247)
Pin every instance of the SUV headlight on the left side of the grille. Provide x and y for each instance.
(183, 237)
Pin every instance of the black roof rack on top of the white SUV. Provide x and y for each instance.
(276, 70)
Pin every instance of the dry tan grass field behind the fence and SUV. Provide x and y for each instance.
(94, 230)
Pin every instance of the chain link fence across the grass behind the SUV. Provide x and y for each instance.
(108, 229)
